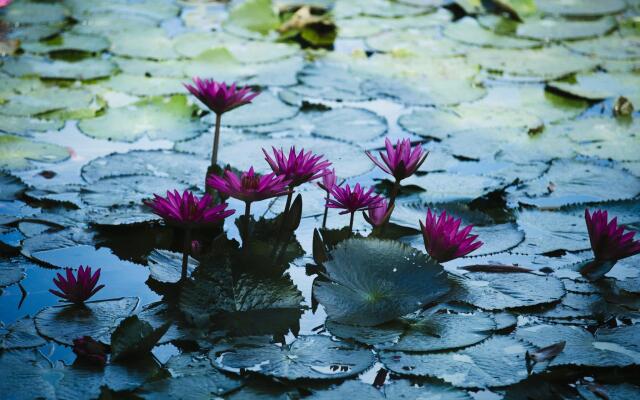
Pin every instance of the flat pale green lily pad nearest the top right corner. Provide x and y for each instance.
(557, 29)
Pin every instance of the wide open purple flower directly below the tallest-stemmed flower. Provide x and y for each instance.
(249, 186)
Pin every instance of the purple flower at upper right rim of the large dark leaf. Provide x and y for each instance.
(443, 240)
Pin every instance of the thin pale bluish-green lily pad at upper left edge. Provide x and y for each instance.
(88, 68)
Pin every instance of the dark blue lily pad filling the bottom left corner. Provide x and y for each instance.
(26, 375)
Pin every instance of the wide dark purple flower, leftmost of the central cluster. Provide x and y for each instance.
(188, 210)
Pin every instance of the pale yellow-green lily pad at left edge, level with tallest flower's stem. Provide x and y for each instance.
(16, 152)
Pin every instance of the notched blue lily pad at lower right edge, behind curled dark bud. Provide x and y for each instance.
(616, 347)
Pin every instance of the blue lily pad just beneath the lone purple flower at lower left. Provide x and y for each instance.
(96, 319)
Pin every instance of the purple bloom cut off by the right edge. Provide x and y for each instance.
(609, 241)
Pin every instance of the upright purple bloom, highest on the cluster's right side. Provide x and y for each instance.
(400, 161)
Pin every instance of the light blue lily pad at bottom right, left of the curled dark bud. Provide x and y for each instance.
(498, 361)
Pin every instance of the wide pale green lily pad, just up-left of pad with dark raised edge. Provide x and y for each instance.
(536, 64)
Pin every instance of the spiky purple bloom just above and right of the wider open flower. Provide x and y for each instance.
(297, 168)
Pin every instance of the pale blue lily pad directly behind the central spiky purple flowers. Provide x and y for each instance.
(346, 158)
